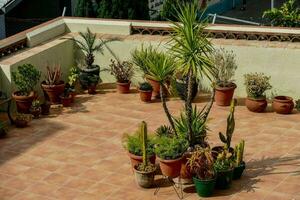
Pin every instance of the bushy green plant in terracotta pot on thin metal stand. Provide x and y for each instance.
(169, 152)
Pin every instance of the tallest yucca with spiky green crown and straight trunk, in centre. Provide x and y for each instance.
(192, 49)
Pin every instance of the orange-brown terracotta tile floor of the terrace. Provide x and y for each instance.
(76, 153)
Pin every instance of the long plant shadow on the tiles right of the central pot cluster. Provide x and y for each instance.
(256, 169)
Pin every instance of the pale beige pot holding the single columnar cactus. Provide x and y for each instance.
(144, 179)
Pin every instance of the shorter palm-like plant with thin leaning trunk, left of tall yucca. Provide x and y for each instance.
(162, 69)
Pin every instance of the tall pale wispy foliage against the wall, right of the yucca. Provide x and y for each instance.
(225, 67)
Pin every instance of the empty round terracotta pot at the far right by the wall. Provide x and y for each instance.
(283, 104)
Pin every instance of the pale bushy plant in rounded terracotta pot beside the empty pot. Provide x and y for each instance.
(256, 86)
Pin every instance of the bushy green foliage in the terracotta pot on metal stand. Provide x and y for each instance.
(170, 148)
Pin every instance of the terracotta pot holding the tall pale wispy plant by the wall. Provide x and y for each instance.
(224, 95)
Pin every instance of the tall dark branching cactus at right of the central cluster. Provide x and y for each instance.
(230, 126)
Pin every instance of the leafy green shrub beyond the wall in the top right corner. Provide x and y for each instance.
(287, 15)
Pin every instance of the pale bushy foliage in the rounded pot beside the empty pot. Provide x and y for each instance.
(257, 84)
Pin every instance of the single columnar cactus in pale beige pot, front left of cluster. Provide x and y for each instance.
(145, 171)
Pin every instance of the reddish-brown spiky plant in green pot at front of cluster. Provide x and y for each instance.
(201, 166)
